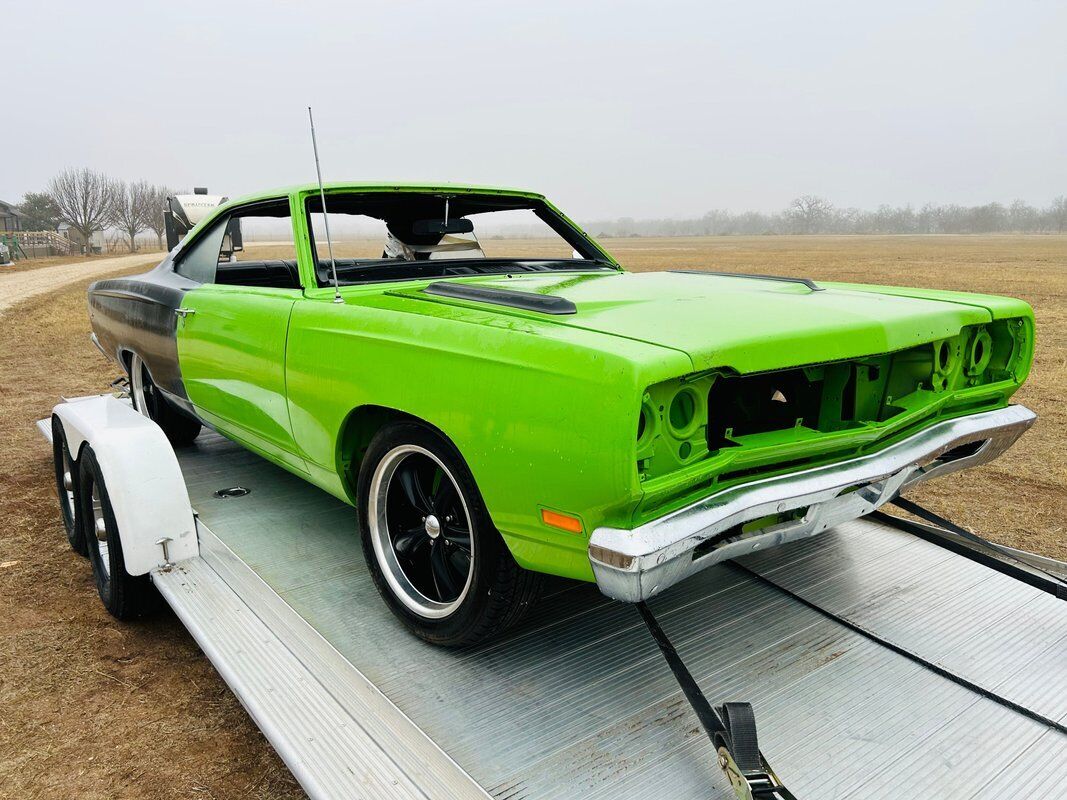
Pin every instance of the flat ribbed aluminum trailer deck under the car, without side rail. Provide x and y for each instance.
(578, 702)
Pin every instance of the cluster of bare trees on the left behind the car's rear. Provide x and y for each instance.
(91, 202)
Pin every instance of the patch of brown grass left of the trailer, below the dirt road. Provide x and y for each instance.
(94, 709)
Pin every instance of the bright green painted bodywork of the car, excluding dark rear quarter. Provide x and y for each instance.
(548, 410)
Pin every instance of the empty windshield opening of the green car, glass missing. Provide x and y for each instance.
(395, 236)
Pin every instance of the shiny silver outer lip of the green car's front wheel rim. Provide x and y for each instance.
(399, 582)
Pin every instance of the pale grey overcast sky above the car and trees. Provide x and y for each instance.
(650, 109)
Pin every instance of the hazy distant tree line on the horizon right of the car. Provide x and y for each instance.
(813, 215)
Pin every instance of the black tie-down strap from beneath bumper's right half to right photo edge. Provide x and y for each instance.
(1028, 573)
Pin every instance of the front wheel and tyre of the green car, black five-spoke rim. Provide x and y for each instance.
(432, 548)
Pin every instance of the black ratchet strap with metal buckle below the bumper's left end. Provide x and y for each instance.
(732, 730)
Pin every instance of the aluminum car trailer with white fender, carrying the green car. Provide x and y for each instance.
(884, 660)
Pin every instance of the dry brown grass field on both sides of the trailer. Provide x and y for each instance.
(94, 709)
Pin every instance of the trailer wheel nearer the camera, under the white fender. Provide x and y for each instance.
(126, 597)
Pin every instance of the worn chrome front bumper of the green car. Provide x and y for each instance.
(635, 565)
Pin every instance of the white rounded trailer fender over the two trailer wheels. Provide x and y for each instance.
(145, 482)
